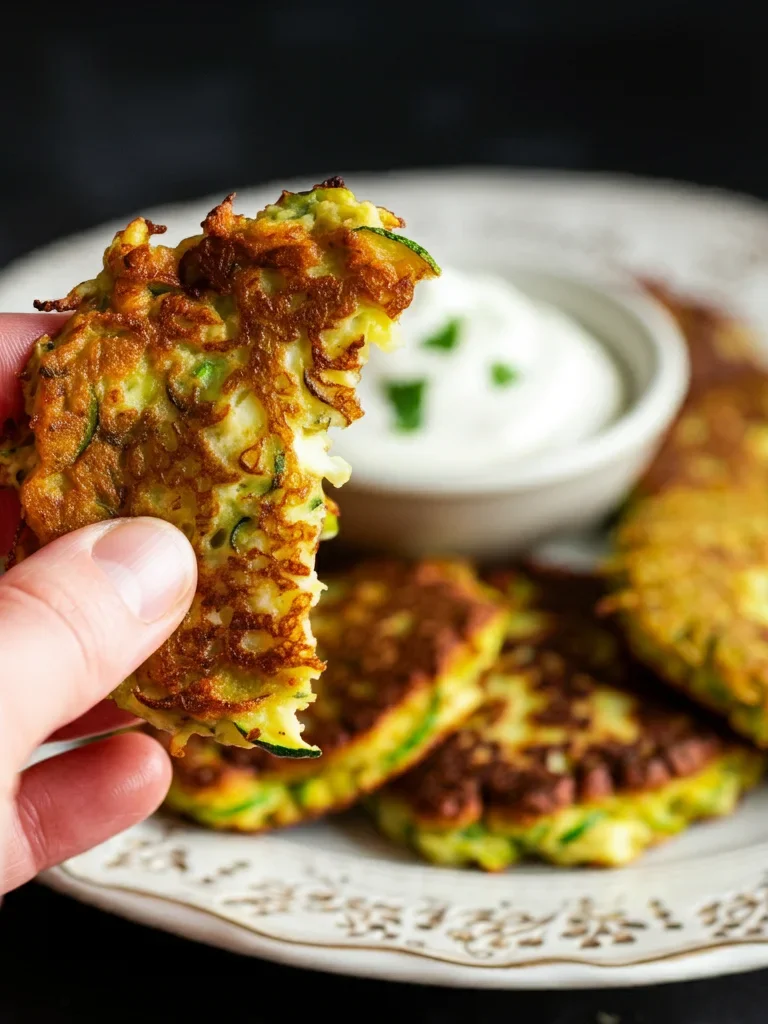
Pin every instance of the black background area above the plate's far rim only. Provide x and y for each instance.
(115, 108)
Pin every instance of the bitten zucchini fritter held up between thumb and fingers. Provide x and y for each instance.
(198, 385)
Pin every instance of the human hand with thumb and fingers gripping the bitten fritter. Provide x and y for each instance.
(76, 619)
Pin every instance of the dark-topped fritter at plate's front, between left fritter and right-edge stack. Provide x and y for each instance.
(574, 756)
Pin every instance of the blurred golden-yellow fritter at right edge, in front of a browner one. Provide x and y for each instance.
(691, 574)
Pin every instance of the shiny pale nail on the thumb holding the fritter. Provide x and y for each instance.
(150, 564)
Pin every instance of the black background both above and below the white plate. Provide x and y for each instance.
(108, 110)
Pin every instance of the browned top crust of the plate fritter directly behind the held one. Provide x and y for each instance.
(371, 668)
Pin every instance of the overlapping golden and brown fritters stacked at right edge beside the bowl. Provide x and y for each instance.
(691, 571)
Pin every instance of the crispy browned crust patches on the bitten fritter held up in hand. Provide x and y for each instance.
(119, 322)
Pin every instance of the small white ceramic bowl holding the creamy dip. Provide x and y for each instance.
(515, 505)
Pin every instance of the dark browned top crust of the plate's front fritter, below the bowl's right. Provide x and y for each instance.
(565, 661)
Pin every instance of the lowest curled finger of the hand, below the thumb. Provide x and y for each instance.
(74, 802)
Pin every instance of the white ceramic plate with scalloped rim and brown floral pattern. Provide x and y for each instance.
(335, 897)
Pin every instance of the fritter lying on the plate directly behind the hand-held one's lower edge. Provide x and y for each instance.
(406, 646)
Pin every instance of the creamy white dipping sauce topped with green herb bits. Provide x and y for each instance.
(504, 379)
